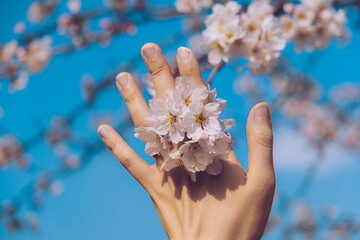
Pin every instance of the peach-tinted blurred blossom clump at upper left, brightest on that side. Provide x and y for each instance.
(37, 54)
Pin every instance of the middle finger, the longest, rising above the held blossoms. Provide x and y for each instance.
(158, 68)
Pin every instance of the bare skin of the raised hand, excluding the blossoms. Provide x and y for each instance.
(233, 205)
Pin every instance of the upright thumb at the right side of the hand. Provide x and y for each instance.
(260, 141)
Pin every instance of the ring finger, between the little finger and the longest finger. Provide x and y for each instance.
(133, 97)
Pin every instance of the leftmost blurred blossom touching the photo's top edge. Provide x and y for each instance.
(40, 10)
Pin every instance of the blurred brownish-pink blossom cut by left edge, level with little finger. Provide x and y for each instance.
(11, 151)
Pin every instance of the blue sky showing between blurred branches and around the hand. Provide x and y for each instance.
(102, 201)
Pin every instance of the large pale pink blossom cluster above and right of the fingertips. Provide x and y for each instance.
(255, 35)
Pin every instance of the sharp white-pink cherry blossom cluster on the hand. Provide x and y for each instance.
(189, 118)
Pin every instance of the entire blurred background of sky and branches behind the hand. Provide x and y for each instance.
(58, 62)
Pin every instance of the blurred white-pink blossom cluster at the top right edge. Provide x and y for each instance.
(313, 23)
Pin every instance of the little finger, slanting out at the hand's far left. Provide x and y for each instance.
(136, 166)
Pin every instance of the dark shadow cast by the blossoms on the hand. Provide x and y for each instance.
(231, 177)
